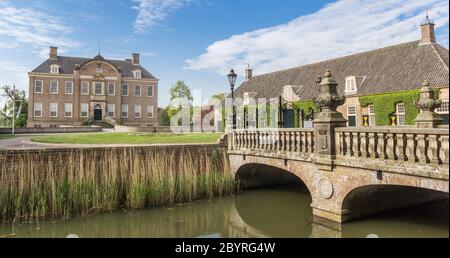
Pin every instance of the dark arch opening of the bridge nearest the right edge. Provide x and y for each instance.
(375, 198)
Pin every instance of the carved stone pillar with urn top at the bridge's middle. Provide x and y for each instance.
(327, 120)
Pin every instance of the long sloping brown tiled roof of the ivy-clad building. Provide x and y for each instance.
(397, 68)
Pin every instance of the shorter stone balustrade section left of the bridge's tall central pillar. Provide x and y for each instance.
(274, 140)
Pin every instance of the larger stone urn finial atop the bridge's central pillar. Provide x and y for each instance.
(328, 99)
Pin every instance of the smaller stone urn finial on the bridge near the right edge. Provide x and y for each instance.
(427, 105)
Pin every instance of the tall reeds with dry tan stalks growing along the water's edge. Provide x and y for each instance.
(80, 182)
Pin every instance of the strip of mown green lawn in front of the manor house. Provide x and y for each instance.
(126, 138)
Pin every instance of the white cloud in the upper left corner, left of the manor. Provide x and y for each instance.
(33, 28)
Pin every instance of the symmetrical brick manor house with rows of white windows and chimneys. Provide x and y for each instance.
(73, 91)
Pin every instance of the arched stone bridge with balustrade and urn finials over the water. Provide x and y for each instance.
(349, 172)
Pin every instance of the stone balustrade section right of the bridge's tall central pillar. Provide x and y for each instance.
(423, 146)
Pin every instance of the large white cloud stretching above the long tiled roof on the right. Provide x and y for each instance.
(341, 28)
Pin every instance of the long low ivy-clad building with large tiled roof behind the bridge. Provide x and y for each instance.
(395, 69)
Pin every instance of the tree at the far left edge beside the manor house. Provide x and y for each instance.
(20, 107)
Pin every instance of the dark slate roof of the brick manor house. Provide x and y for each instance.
(68, 64)
